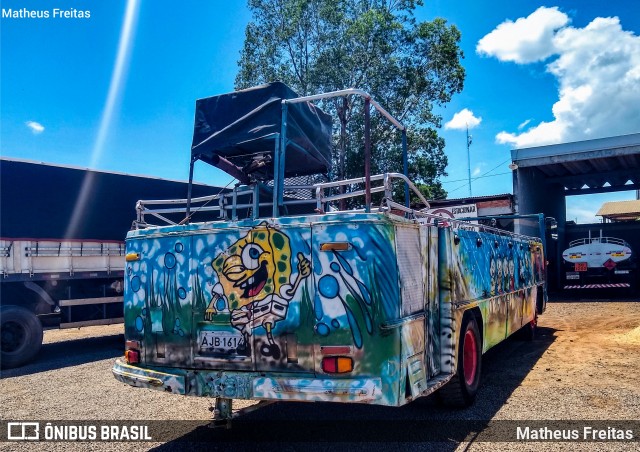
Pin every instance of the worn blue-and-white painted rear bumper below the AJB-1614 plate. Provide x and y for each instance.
(250, 385)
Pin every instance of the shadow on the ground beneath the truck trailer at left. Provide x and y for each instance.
(61, 354)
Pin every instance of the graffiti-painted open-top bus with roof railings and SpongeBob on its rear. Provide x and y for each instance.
(288, 297)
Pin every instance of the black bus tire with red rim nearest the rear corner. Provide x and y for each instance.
(461, 390)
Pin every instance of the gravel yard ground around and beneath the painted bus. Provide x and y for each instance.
(584, 365)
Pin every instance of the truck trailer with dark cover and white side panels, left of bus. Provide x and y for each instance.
(62, 233)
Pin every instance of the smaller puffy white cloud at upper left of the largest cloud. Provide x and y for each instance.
(526, 40)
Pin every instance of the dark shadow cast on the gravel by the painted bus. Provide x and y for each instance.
(422, 424)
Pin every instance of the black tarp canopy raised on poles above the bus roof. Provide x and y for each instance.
(241, 128)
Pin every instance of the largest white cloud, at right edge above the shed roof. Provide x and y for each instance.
(598, 74)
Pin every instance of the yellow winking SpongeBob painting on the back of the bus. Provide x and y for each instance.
(254, 283)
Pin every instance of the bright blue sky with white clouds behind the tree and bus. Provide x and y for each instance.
(116, 91)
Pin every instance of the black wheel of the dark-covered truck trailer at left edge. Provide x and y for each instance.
(21, 336)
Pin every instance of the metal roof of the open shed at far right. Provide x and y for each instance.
(592, 166)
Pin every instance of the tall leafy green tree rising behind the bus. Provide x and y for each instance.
(375, 45)
